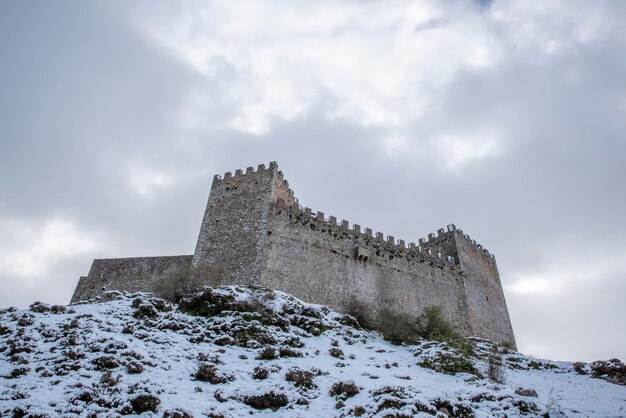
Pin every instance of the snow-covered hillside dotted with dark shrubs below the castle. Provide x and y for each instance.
(249, 351)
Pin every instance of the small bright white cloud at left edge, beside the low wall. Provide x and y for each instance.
(28, 249)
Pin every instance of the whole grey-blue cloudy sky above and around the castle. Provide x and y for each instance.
(505, 118)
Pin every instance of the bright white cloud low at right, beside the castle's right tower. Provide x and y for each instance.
(570, 307)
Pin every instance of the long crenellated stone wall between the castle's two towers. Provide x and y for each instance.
(318, 260)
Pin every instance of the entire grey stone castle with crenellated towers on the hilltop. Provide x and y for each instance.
(254, 232)
